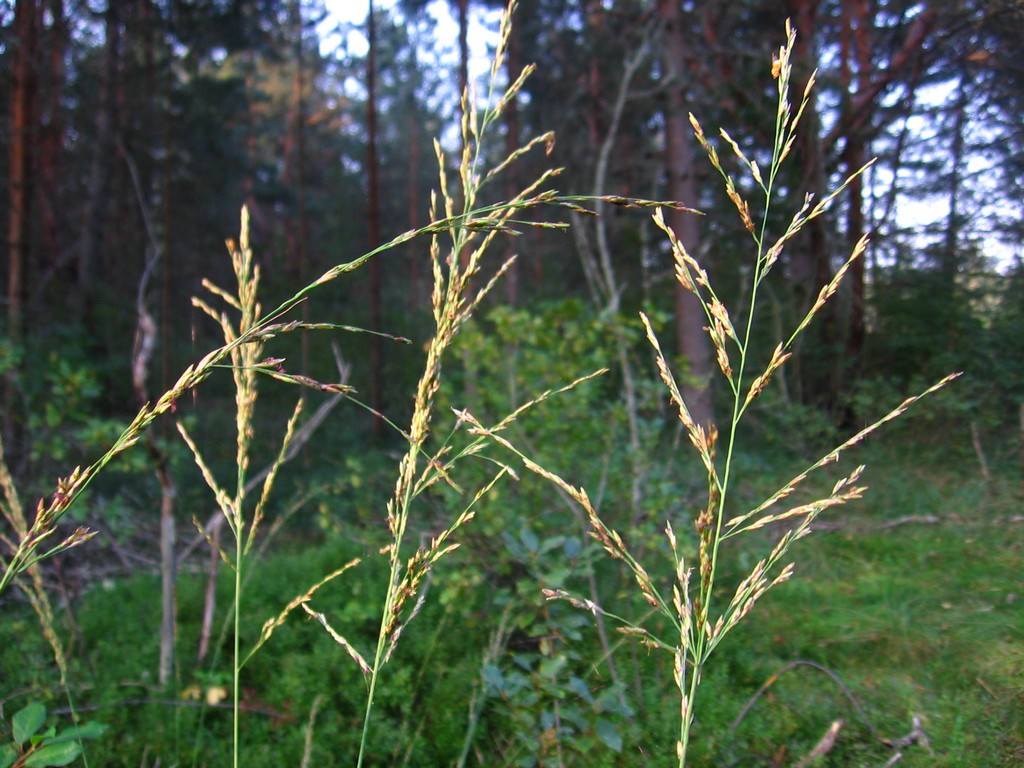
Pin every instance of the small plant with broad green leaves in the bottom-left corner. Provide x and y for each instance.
(31, 746)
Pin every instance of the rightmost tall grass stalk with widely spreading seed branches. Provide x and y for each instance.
(700, 617)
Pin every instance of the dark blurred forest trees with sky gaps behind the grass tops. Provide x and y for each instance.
(136, 130)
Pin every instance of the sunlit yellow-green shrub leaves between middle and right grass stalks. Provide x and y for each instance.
(513, 355)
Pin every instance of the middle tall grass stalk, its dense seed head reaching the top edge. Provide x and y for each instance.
(454, 301)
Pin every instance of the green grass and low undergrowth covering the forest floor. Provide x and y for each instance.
(920, 619)
